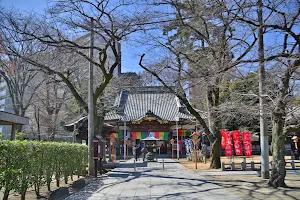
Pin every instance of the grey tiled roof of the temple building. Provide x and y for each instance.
(138, 101)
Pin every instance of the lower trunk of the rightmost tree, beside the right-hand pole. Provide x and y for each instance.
(278, 148)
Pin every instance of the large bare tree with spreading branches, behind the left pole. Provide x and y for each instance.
(113, 21)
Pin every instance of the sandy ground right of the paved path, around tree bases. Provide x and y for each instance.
(246, 185)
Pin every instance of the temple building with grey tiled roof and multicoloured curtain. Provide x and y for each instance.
(152, 110)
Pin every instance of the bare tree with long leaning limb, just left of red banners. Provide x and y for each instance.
(203, 46)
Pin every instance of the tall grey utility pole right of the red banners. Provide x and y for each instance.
(264, 144)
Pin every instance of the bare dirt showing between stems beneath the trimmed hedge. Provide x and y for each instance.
(30, 194)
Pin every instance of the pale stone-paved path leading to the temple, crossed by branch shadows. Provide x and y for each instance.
(150, 181)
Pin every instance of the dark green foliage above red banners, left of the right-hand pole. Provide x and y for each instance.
(239, 103)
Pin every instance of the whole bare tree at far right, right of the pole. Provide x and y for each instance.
(279, 18)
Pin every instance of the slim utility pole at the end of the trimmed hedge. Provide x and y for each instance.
(91, 105)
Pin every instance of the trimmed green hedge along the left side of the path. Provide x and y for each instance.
(29, 163)
